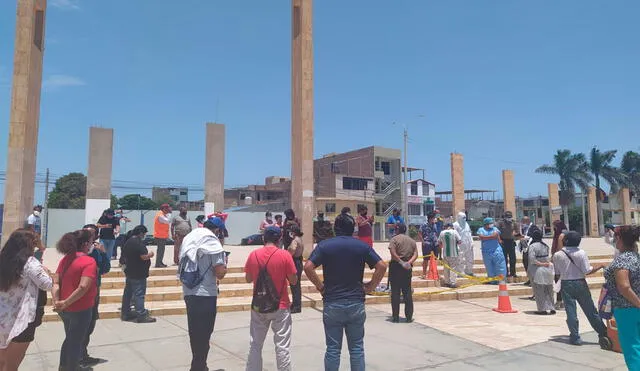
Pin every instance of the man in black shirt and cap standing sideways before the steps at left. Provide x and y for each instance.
(137, 262)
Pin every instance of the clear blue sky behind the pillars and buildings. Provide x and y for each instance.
(505, 83)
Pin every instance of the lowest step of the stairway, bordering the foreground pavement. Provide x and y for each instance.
(314, 299)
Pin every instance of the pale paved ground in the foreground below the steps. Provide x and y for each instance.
(453, 335)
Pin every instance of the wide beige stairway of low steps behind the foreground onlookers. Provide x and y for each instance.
(164, 292)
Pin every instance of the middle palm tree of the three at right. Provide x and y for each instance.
(600, 167)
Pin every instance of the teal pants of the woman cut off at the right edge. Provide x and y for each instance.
(628, 320)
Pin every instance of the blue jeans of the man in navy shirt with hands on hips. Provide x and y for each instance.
(344, 317)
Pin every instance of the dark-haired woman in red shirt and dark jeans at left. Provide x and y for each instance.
(74, 293)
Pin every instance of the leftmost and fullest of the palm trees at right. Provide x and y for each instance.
(573, 171)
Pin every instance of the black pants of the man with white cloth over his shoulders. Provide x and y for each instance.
(201, 317)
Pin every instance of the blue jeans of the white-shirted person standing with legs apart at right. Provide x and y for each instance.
(578, 291)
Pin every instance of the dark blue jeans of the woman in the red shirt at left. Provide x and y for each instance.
(76, 327)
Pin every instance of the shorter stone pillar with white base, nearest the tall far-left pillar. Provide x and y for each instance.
(99, 174)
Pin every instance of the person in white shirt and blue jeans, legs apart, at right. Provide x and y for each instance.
(572, 264)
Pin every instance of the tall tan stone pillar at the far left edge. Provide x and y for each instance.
(25, 114)
